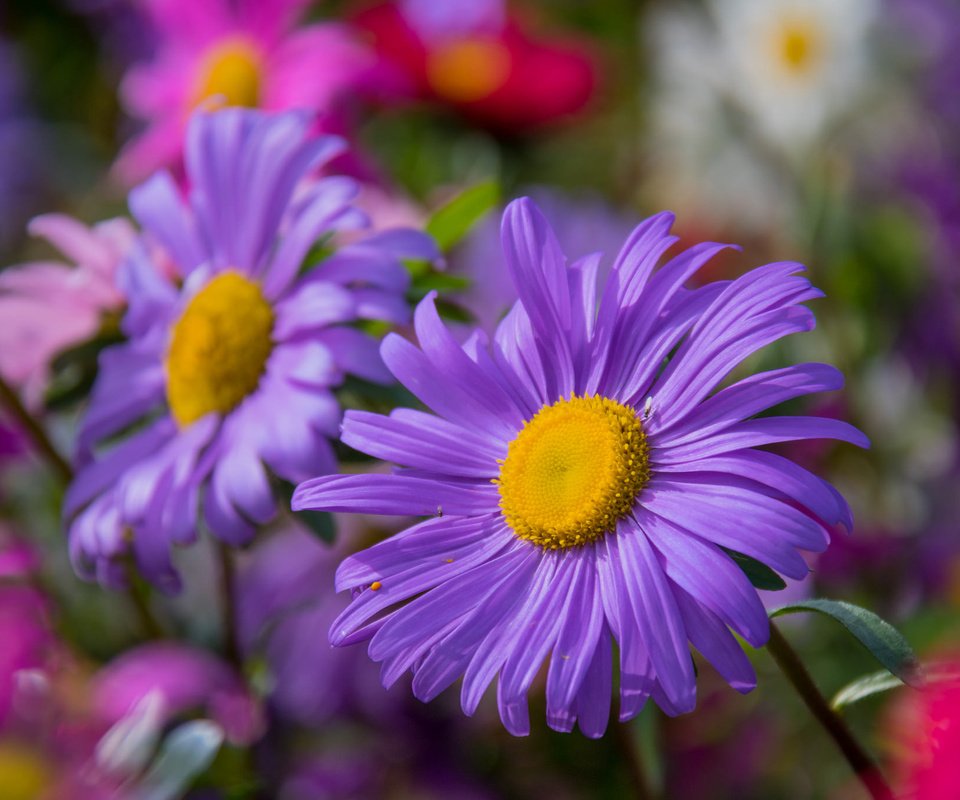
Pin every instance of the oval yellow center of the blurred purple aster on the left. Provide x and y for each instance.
(219, 348)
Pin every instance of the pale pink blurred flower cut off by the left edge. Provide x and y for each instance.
(48, 306)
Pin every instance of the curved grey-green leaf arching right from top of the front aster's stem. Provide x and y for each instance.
(884, 642)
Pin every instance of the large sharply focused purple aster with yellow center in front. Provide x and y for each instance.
(581, 491)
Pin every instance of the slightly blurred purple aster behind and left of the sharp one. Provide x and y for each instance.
(229, 373)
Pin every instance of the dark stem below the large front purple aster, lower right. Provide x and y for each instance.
(862, 764)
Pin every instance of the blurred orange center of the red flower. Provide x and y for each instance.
(468, 69)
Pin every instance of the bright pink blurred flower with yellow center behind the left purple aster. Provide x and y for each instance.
(242, 53)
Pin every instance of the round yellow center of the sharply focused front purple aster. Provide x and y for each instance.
(573, 471)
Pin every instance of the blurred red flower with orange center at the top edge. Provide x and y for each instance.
(476, 58)
